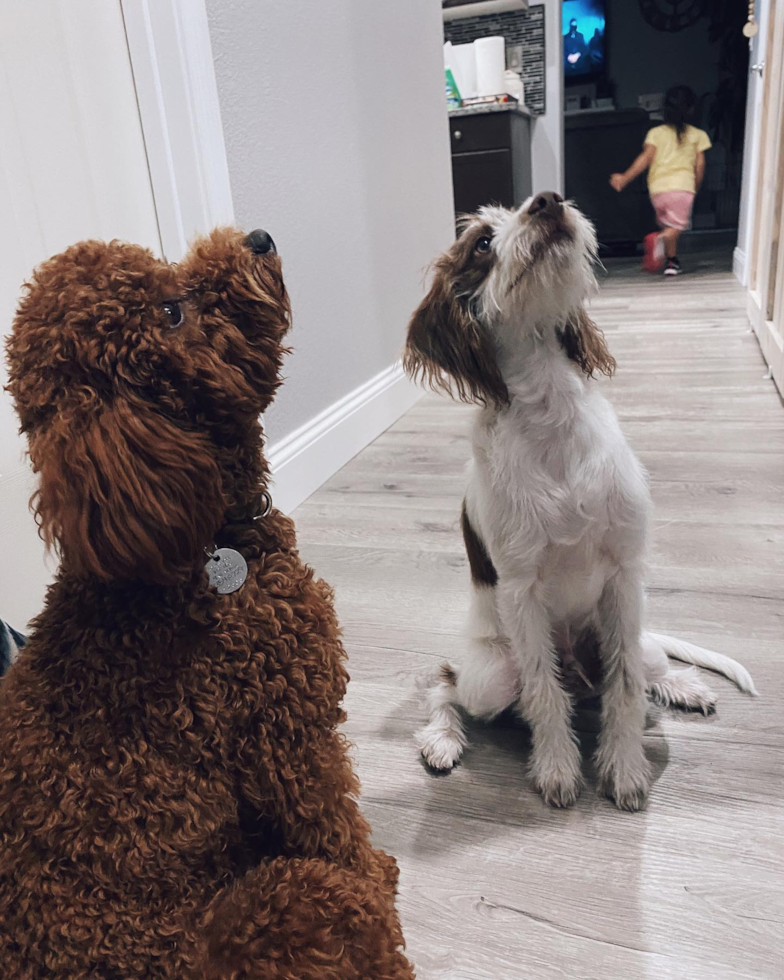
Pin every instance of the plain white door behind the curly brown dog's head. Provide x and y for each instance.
(72, 166)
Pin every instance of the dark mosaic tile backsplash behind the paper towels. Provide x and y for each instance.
(524, 27)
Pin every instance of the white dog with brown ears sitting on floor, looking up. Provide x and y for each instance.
(556, 511)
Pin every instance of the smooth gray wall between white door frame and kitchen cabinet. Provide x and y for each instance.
(337, 140)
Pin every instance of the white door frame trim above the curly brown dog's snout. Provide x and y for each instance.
(171, 57)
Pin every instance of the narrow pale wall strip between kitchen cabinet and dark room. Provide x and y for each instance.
(547, 137)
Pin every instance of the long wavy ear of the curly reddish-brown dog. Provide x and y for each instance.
(127, 495)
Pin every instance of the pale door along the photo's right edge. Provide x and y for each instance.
(766, 280)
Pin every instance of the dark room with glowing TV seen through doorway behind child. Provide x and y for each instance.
(618, 97)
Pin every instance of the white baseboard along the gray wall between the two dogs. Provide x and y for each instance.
(304, 460)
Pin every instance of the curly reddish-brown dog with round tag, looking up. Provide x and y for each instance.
(175, 798)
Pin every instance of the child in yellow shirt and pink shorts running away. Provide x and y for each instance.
(674, 156)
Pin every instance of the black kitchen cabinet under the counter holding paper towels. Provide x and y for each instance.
(491, 159)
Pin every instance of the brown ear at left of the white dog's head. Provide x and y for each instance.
(449, 350)
